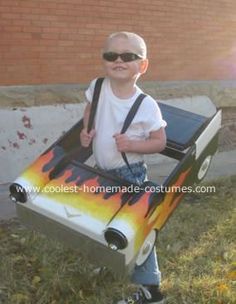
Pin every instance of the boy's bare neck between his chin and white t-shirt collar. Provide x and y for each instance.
(123, 89)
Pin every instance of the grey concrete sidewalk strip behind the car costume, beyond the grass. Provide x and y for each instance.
(223, 164)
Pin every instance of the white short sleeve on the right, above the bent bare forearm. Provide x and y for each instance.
(153, 117)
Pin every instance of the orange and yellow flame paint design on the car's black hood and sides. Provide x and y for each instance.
(143, 211)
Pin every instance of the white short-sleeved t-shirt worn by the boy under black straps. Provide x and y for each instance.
(110, 116)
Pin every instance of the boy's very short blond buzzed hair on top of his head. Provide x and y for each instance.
(135, 39)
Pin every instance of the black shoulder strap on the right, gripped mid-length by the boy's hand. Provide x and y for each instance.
(129, 118)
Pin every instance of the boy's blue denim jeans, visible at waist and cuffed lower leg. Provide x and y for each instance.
(148, 273)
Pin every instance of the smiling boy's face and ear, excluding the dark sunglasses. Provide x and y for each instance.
(119, 70)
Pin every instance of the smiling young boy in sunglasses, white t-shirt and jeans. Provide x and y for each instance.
(124, 60)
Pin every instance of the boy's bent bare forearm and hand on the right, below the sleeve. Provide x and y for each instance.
(155, 143)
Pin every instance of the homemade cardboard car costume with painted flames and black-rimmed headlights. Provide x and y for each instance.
(112, 222)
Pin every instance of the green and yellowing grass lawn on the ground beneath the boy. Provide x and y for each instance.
(197, 256)
